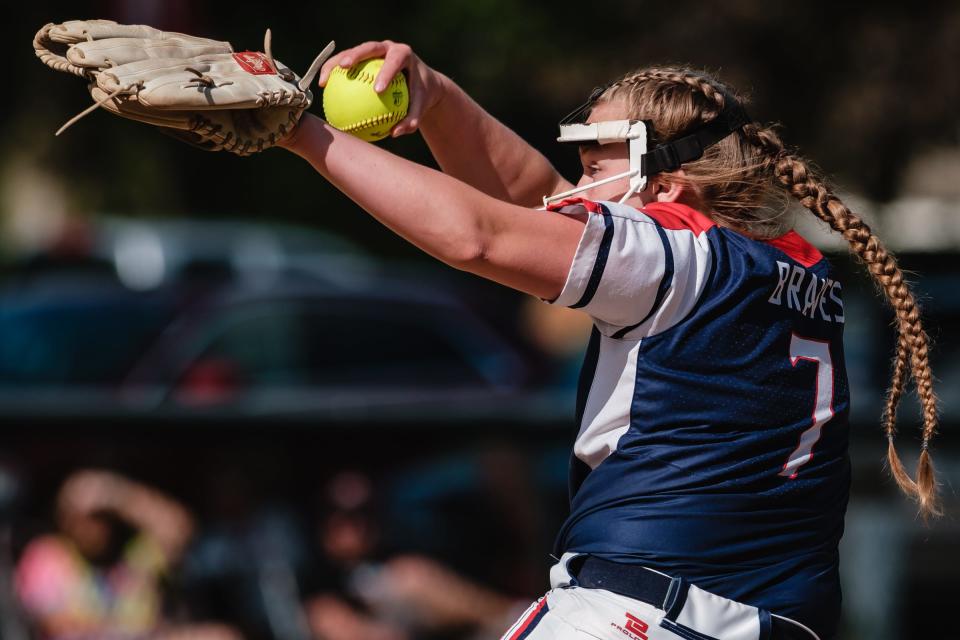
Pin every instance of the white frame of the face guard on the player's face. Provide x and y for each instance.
(632, 132)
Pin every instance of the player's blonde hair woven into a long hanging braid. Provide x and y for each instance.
(739, 178)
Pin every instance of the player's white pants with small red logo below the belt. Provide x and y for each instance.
(569, 612)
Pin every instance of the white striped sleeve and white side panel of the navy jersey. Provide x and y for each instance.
(635, 278)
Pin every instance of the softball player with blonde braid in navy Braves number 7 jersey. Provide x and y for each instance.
(709, 475)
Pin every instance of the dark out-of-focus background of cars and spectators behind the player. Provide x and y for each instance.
(234, 406)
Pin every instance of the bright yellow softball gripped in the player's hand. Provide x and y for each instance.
(350, 103)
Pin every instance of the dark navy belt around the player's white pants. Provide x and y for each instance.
(628, 580)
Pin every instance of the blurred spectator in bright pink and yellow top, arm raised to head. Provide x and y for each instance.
(99, 576)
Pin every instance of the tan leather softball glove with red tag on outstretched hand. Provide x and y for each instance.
(198, 90)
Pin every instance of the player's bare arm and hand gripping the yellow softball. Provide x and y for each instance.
(467, 142)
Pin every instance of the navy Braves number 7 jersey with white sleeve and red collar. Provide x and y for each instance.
(712, 407)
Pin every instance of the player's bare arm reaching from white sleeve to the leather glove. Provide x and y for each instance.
(530, 251)
